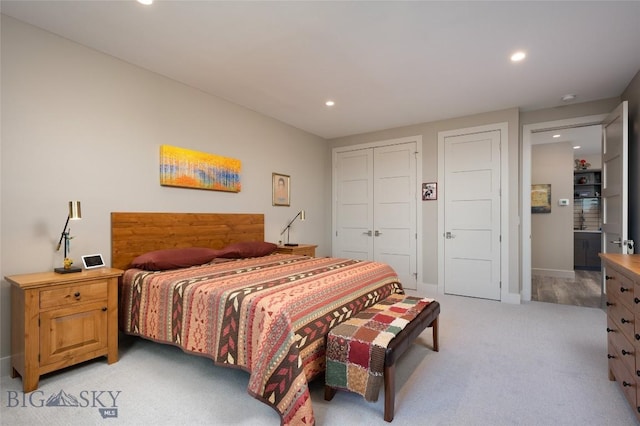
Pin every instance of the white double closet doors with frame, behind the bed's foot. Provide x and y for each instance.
(376, 207)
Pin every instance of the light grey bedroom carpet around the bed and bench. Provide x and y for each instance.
(499, 364)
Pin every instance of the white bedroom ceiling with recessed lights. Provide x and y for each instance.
(384, 63)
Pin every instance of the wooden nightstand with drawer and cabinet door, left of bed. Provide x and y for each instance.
(58, 320)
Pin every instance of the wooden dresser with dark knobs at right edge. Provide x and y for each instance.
(623, 323)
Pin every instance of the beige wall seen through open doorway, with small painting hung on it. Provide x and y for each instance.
(552, 233)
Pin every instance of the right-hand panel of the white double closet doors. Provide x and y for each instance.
(395, 196)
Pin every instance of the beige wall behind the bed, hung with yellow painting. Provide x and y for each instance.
(81, 125)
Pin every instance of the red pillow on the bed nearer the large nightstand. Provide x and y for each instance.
(161, 260)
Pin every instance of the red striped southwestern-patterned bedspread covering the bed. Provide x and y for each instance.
(267, 315)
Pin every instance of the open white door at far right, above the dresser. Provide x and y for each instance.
(615, 143)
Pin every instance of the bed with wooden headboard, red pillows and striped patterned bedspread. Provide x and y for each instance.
(266, 313)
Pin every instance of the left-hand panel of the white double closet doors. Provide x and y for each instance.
(353, 176)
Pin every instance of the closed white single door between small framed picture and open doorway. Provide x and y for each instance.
(472, 215)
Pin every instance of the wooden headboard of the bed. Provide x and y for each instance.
(133, 234)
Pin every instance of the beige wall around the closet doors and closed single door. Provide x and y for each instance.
(429, 133)
